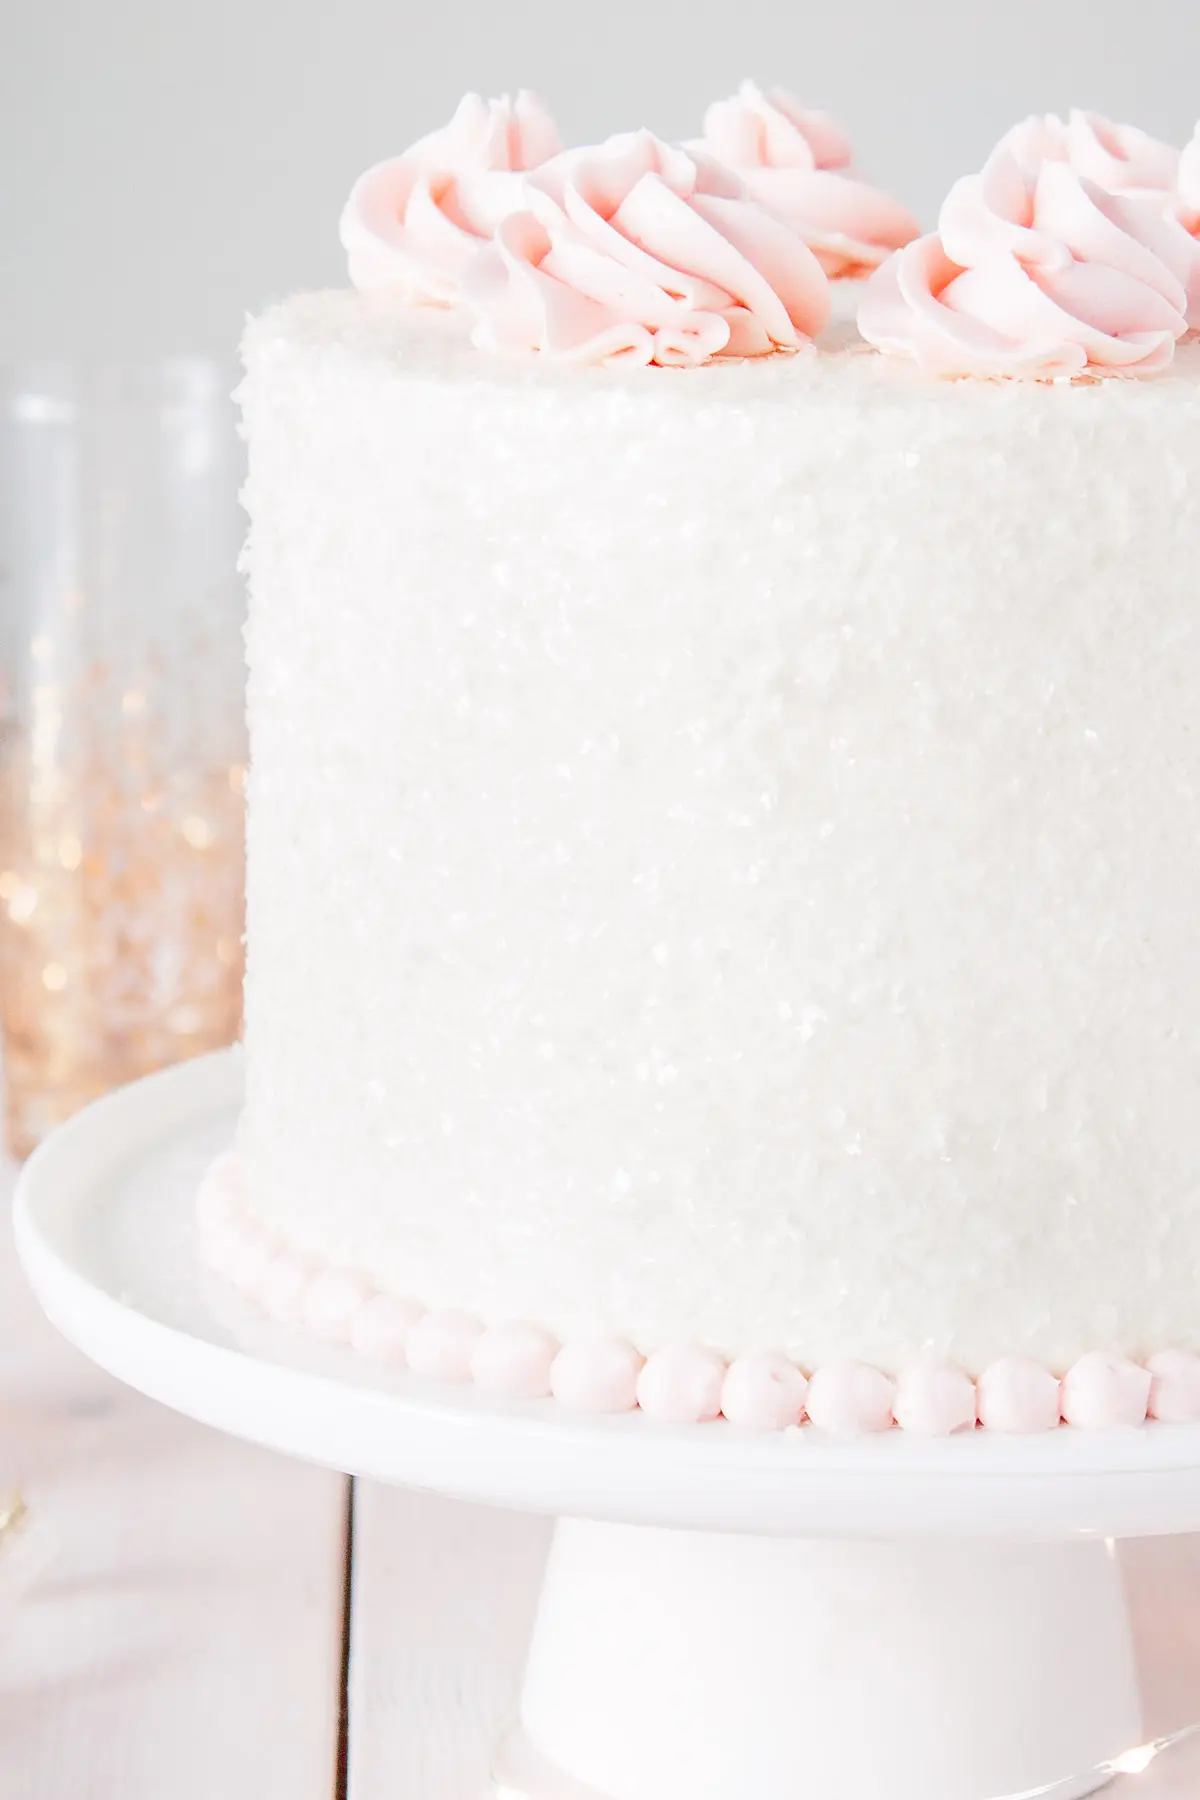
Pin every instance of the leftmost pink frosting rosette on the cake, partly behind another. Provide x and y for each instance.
(415, 224)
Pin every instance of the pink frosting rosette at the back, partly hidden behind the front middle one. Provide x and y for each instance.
(796, 165)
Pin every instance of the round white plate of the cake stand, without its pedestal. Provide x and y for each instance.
(325, 1407)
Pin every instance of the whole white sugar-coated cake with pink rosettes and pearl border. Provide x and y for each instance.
(722, 840)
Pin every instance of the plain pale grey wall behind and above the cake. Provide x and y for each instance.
(165, 168)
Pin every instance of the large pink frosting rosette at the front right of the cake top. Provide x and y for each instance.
(1035, 274)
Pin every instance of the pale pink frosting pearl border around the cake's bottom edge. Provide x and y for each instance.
(679, 1383)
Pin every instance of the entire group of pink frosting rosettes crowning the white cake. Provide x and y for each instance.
(1075, 255)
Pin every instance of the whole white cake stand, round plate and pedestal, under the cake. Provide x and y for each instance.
(724, 1615)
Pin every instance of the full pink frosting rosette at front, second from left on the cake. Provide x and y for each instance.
(647, 255)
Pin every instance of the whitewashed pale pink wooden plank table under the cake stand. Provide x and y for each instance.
(215, 1621)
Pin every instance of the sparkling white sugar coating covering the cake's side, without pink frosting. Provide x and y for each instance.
(724, 850)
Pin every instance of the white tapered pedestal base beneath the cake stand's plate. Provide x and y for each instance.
(688, 1664)
